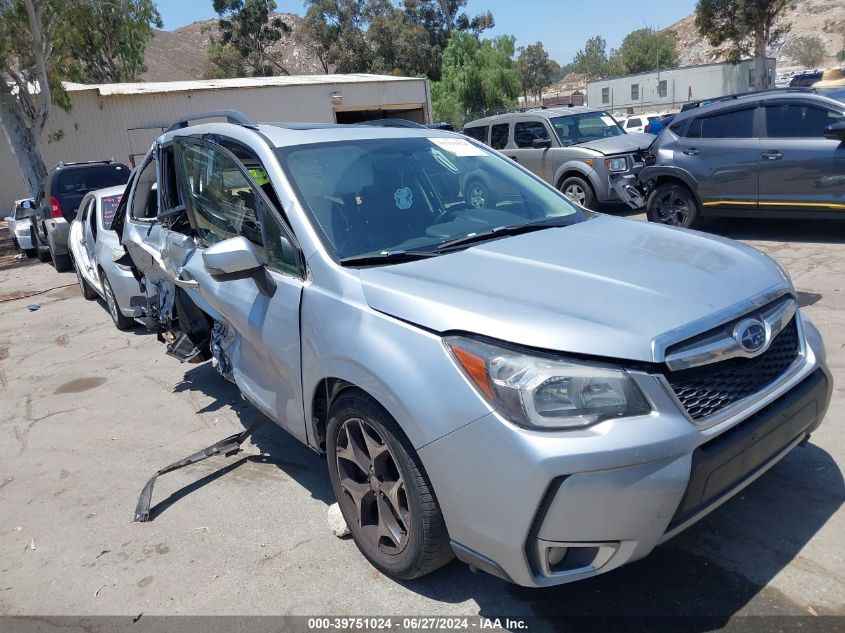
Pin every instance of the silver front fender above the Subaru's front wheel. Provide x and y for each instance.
(405, 368)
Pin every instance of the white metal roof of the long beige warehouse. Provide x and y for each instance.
(224, 84)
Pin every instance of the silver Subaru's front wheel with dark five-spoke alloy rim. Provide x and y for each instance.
(383, 491)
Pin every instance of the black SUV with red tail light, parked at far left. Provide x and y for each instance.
(64, 188)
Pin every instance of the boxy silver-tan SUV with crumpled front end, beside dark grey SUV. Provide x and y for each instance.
(581, 151)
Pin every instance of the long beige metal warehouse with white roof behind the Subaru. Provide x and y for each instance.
(122, 120)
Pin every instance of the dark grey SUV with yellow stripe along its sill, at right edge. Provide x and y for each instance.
(777, 153)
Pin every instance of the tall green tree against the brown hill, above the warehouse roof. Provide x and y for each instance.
(250, 28)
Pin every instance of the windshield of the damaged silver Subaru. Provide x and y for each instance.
(385, 196)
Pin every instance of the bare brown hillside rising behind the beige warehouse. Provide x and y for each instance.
(182, 54)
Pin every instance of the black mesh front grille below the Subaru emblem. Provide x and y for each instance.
(706, 390)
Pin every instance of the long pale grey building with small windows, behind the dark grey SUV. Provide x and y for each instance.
(670, 88)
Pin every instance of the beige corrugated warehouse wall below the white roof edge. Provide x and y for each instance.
(101, 127)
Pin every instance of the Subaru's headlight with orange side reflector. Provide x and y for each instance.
(543, 392)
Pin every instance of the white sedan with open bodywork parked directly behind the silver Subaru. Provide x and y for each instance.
(101, 265)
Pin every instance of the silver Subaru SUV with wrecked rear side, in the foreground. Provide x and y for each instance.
(546, 392)
